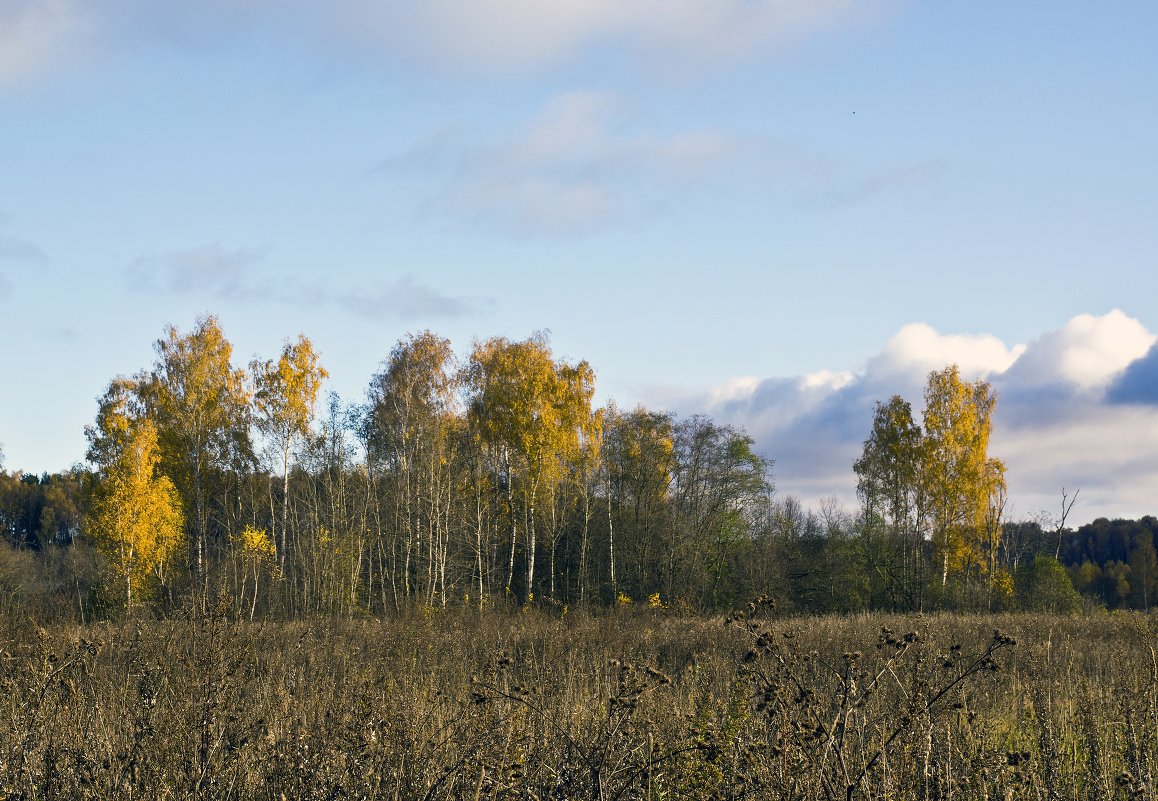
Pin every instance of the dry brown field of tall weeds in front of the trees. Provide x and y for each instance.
(636, 706)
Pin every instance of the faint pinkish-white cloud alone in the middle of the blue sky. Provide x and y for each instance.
(581, 163)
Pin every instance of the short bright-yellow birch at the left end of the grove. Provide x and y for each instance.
(136, 518)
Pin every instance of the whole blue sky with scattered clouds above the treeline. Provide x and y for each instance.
(775, 212)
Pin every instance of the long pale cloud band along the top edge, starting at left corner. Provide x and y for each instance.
(492, 35)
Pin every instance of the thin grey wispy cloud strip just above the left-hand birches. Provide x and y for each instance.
(237, 276)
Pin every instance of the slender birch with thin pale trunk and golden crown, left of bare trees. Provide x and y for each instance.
(285, 394)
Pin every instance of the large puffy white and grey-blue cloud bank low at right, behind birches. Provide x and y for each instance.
(1078, 409)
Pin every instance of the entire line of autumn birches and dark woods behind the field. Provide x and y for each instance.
(496, 483)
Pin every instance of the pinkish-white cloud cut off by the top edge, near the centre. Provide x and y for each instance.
(515, 35)
